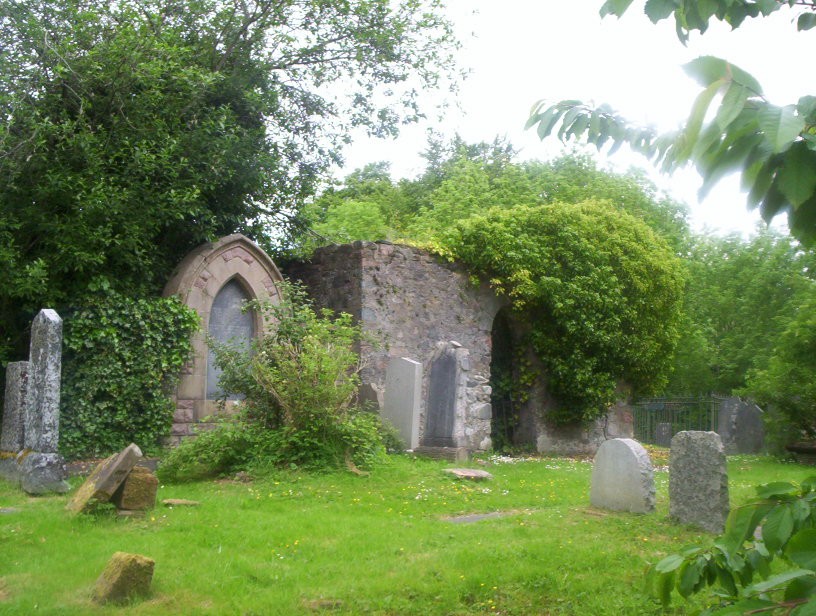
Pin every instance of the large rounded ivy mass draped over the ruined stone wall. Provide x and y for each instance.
(600, 292)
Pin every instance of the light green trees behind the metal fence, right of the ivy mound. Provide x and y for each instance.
(739, 297)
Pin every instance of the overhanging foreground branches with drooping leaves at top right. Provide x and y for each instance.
(773, 147)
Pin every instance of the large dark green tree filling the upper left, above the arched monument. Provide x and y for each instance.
(133, 131)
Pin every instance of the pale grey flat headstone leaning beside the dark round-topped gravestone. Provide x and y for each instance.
(403, 393)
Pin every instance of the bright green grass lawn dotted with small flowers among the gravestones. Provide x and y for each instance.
(391, 542)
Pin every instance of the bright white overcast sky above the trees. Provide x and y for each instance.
(521, 51)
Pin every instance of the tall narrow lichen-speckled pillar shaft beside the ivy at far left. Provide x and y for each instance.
(42, 396)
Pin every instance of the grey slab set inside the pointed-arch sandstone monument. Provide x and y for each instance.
(231, 325)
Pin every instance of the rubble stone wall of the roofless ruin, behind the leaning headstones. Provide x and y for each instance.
(409, 301)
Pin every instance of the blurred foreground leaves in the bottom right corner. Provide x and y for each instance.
(779, 525)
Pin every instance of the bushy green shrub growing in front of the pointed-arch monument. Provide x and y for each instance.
(299, 385)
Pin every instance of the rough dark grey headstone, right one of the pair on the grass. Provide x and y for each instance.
(698, 480)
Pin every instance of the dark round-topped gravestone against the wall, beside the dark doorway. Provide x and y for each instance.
(441, 405)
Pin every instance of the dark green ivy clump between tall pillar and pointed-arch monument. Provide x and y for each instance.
(121, 356)
